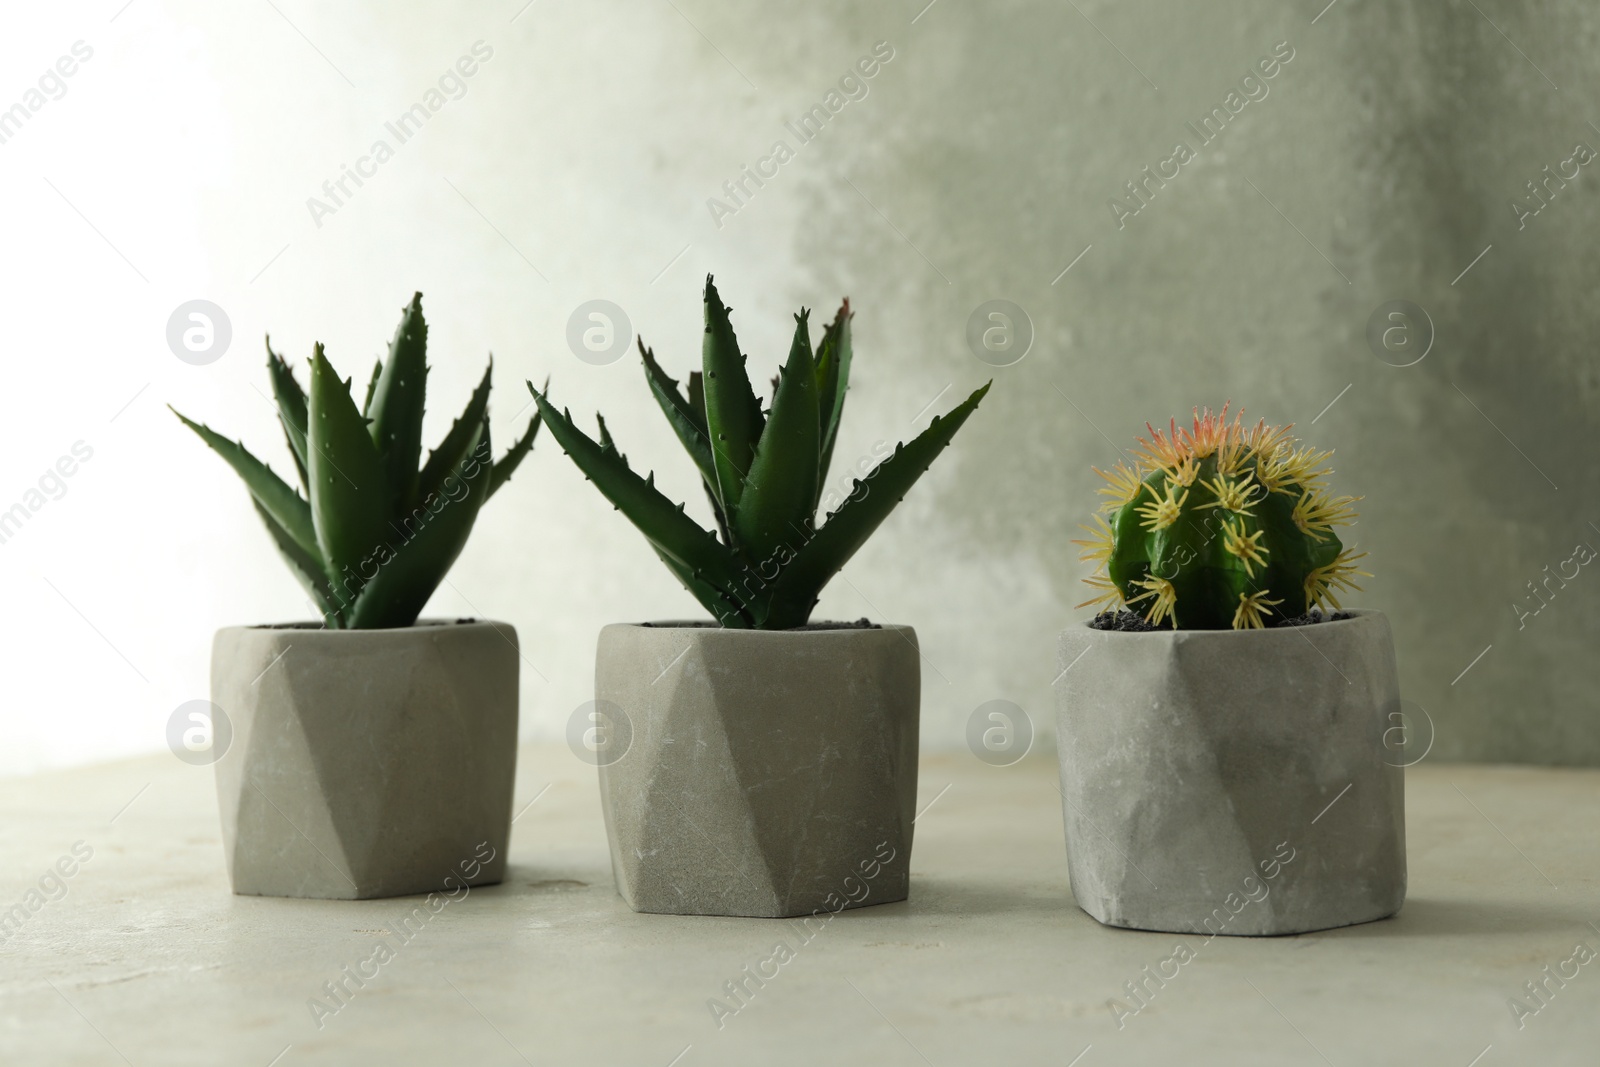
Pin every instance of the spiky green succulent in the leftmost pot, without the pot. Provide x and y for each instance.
(374, 533)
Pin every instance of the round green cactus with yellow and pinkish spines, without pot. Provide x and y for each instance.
(1222, 526)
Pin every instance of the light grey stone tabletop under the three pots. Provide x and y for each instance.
(145, 957)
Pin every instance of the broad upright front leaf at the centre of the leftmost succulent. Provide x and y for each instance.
(350, 489)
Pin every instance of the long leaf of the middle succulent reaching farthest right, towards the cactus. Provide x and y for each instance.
(799, 585)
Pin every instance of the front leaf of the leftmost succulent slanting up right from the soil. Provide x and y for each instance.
(426, 545)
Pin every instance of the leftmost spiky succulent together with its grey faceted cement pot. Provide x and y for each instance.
(372, 753)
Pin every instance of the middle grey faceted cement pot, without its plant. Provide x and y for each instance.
(767, 775)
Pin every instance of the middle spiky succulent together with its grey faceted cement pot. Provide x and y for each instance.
(774, 761)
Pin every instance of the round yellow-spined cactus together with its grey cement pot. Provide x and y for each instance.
(1222, 754)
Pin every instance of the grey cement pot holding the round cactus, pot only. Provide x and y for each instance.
(1233, 781)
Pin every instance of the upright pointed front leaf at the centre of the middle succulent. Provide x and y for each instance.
(782, 490)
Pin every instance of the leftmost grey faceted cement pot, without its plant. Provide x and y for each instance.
(366, 764)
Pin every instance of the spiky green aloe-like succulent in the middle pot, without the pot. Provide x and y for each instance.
(764, 473)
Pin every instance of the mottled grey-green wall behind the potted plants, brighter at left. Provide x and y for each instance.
(1380, 166)
